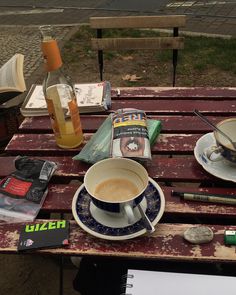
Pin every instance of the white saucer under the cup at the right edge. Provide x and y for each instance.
(221, 169)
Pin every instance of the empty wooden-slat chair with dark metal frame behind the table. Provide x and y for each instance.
(138, 22)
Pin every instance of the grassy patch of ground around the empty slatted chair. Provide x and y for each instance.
(201, 57)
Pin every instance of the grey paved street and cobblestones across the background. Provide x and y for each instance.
(19, 25)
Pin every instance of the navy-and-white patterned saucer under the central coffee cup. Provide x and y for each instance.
(112, 226)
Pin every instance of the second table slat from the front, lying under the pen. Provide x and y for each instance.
(59, 199)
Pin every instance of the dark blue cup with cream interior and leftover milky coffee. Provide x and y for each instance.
(116, 185)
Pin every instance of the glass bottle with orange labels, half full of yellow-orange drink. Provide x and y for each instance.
(60, 95)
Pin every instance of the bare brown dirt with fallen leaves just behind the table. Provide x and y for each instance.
(143, 72)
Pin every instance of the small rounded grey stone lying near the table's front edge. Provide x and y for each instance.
(198, 234)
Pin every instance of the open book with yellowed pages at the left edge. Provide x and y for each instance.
(12, 81)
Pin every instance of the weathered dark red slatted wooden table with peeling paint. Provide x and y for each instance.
(173, 166)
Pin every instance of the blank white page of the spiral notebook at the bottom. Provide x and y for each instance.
(140, 282)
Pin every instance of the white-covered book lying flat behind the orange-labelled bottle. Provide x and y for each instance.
(91, 97)
